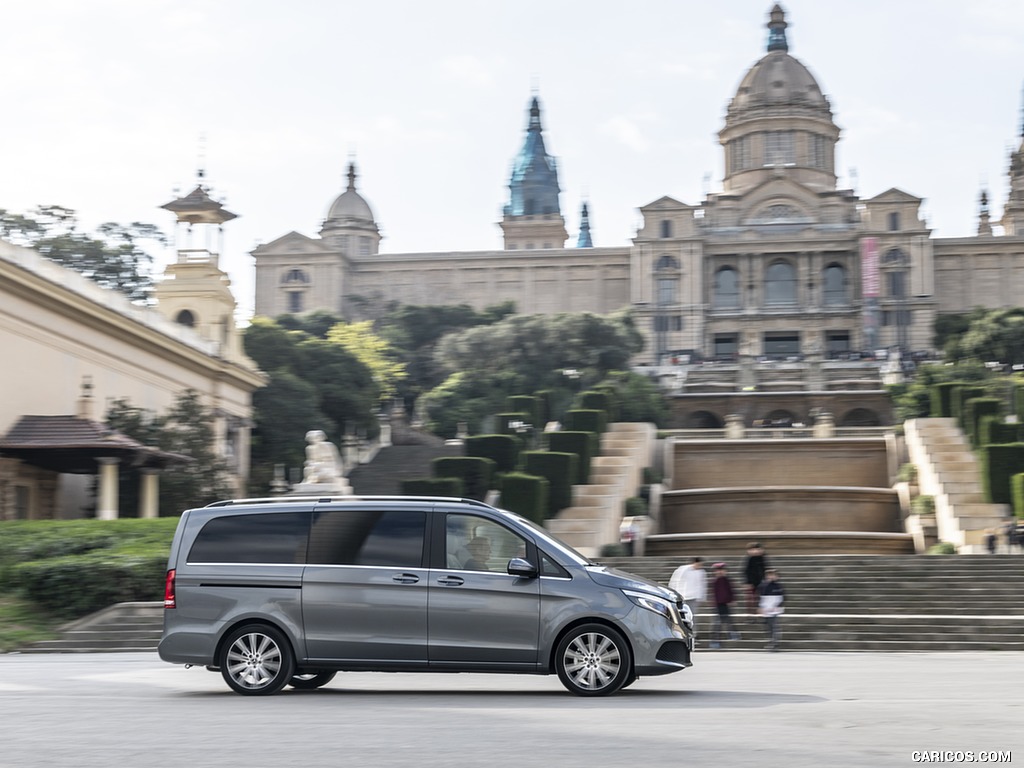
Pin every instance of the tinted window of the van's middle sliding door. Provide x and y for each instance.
(388, 538)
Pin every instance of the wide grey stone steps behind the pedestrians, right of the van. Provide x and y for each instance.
(876, 603)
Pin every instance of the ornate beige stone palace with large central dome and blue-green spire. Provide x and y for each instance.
(779, 263)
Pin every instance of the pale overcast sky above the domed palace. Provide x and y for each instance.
(107, 101)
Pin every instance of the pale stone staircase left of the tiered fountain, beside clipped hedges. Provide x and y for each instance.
(616, 476)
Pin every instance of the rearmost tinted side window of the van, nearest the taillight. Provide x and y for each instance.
(272, 538)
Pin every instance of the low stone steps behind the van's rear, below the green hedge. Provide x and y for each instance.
(125, 627)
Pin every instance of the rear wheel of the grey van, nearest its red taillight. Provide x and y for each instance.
(258, 661)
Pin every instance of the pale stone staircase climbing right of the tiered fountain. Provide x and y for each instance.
(948, 471)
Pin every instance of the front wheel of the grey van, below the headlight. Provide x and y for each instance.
(593, 661)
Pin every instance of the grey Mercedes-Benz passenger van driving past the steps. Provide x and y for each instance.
(276, 592)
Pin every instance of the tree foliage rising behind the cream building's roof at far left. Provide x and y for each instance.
(113, 259)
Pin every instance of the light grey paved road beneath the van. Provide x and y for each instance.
(744, 709)
